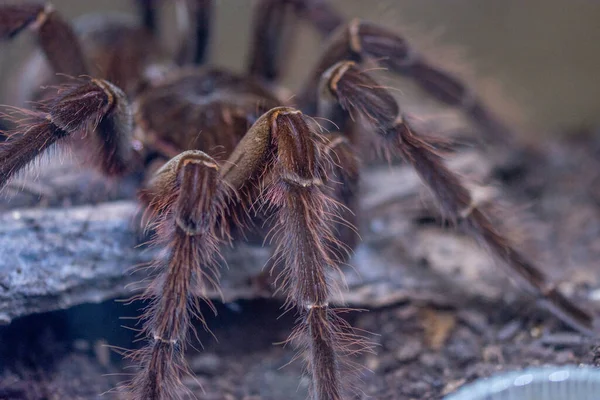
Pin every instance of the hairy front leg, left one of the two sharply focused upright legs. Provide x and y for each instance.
(187, 197)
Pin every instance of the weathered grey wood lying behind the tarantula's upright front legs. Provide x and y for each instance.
(55, 258)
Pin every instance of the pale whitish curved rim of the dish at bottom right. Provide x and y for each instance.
(497, 384)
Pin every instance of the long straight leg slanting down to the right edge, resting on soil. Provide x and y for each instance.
(362, 96)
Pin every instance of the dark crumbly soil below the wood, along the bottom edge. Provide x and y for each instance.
(64, 355)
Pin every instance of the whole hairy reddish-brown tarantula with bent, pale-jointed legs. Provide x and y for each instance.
(227, 157)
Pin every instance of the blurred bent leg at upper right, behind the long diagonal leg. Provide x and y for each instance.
(361, 41)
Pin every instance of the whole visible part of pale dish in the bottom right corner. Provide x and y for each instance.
(548, 383)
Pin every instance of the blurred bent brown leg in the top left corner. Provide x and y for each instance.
(53, 32)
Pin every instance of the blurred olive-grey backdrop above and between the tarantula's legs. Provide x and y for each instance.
(543, 54)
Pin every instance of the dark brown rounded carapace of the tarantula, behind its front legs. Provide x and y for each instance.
(213, 109)
